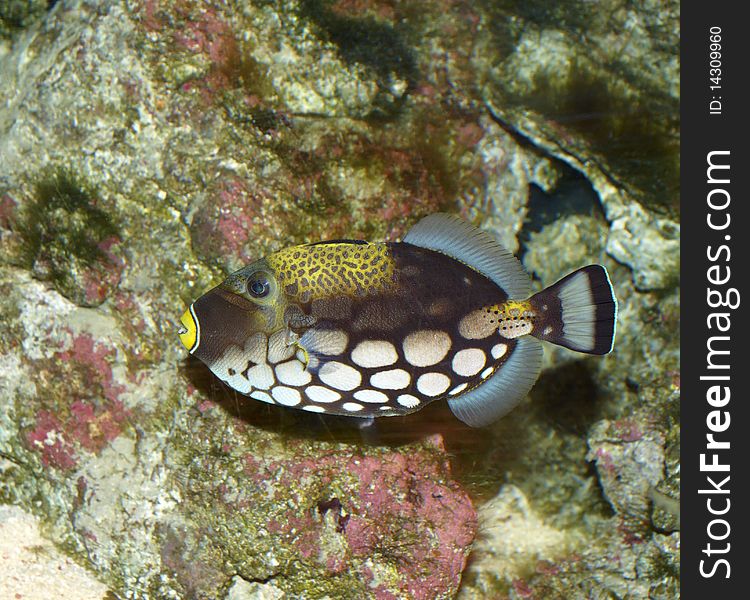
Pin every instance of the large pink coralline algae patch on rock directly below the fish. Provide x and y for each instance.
(402, 509)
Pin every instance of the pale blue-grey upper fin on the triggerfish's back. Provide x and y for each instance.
(455, 237)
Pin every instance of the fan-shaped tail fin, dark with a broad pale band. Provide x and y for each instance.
(578, 312)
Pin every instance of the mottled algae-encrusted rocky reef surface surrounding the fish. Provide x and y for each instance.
(149, 147)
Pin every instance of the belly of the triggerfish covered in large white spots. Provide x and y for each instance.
(361, 377)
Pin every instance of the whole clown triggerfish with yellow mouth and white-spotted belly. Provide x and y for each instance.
(371, 329)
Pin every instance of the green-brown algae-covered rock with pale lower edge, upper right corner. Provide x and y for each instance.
(595, 107)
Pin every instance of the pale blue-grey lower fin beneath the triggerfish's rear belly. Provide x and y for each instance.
(502, 392)
